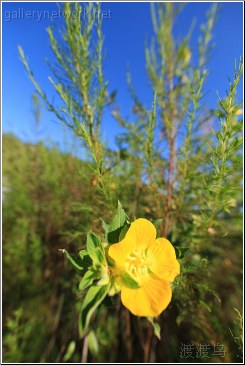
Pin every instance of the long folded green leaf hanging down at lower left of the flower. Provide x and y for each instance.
(94, 297)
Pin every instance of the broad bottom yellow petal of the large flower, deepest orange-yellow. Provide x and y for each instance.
(149, 300)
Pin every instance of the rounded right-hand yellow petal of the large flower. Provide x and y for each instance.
(162, 259)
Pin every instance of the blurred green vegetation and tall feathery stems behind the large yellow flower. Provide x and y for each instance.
(169, 165)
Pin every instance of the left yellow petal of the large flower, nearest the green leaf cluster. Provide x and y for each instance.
(120, 251)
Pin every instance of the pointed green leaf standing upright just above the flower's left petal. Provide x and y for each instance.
(113, 230)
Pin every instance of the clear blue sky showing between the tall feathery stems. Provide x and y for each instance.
(125, 34)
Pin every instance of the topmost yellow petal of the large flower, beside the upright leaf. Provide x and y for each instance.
(142, 232)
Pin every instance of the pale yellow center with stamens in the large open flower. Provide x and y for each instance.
(136, 264)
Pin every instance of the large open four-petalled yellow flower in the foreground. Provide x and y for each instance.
(151, 263)
